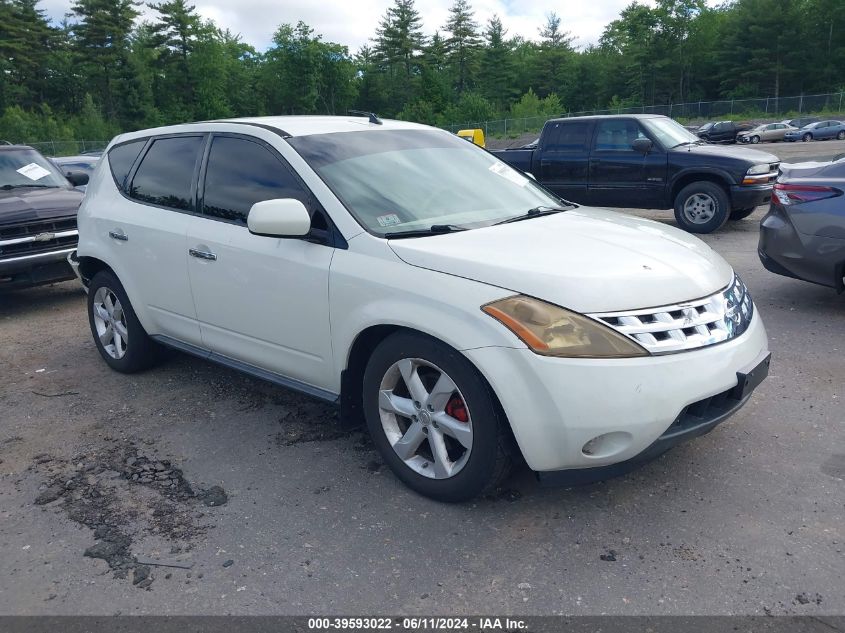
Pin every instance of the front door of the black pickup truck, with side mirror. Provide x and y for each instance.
(620, 176)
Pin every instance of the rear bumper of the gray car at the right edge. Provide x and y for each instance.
(784, 250)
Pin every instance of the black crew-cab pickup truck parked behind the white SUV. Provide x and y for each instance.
(649, 162)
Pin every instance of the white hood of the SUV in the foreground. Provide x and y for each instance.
(588, 260)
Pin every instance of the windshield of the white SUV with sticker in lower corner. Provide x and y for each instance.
(397, 181)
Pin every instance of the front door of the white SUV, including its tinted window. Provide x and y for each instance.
(260, 300)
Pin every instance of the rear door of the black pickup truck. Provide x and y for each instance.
(564, 158)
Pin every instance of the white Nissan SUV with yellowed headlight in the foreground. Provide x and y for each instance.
(462, 310)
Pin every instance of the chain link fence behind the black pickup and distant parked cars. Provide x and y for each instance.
(831, 104)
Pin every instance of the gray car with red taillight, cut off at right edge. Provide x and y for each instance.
(803, 234)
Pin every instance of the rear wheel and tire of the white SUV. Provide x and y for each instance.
(133, 351)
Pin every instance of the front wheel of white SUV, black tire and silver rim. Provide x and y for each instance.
(456, 472)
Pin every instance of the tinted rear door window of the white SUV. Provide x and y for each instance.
(165, 174)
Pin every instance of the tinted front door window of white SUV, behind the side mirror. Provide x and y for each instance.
(241, 173)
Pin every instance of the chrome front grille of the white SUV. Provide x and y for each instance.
(685, 326)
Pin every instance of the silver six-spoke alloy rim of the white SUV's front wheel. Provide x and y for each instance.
(425, 418)
